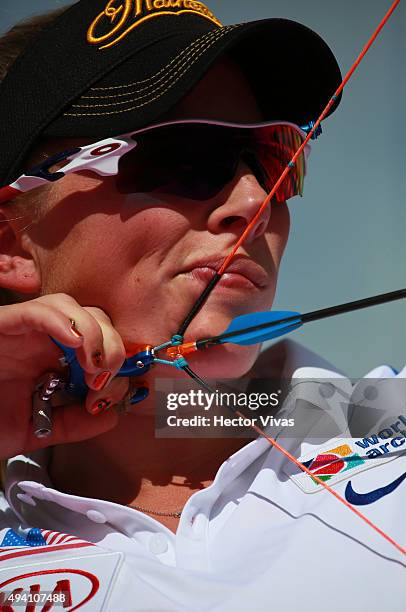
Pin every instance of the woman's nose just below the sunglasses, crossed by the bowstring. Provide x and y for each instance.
(242, 199)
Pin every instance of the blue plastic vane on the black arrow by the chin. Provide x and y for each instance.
(259, 318)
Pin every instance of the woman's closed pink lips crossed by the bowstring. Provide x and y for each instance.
(243, 271)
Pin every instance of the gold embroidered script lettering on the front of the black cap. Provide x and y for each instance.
(119, 18)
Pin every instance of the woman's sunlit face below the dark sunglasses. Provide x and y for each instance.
(145, 258)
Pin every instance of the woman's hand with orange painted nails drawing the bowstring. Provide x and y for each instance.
(27, 352)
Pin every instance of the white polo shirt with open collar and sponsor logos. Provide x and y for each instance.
(263, 537)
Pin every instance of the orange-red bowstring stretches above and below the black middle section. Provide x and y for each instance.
(248, 229)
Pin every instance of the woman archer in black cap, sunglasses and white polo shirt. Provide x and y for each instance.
(126, 267)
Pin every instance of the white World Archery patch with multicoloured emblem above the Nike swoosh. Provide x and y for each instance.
(334, 463)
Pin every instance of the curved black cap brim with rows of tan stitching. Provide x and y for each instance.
(292, 72)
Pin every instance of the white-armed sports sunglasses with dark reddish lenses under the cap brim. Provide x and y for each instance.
(193, 159)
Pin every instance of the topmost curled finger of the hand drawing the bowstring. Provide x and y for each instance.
(21, 318)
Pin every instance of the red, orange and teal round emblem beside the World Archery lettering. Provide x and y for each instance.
(332, 462)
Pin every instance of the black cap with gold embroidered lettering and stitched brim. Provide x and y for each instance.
(104, 68)
